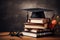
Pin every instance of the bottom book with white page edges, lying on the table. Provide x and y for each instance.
(36, 34)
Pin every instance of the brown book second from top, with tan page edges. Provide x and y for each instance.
(36, 26)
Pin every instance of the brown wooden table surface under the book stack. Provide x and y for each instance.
(5, 36)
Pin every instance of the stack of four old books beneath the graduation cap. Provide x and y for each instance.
(36, 27)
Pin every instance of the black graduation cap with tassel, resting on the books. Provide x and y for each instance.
(37, 12)
